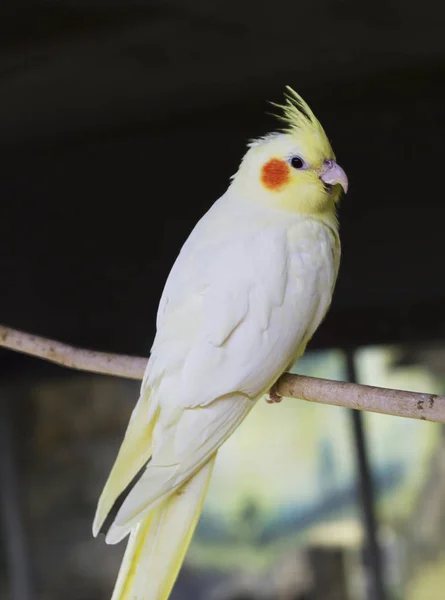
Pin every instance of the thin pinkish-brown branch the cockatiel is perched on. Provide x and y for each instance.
(428, 407)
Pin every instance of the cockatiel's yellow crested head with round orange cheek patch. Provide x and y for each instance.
(294, 170)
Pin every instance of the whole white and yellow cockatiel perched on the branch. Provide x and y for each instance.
(248, 290)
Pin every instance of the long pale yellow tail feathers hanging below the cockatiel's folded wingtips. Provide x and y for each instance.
(158, 543)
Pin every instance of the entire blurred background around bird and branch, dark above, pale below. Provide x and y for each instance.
(120, 124)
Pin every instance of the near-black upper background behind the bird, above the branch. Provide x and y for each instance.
(121, 122)
